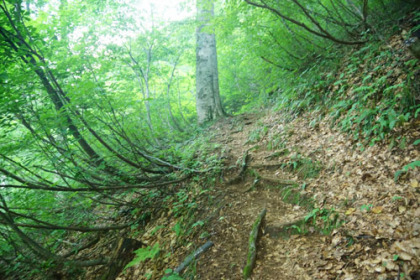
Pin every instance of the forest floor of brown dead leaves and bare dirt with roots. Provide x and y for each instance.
(360, 223)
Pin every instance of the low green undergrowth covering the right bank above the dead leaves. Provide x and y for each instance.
(370, 94)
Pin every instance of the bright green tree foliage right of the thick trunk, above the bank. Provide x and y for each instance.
(291, 73)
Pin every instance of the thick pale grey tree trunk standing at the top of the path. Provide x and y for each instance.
(209, 106)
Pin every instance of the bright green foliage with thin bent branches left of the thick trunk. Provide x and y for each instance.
(98, 135)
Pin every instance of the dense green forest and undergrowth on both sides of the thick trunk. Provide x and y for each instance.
(98, 109)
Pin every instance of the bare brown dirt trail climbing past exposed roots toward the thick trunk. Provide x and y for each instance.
(242, 204)
